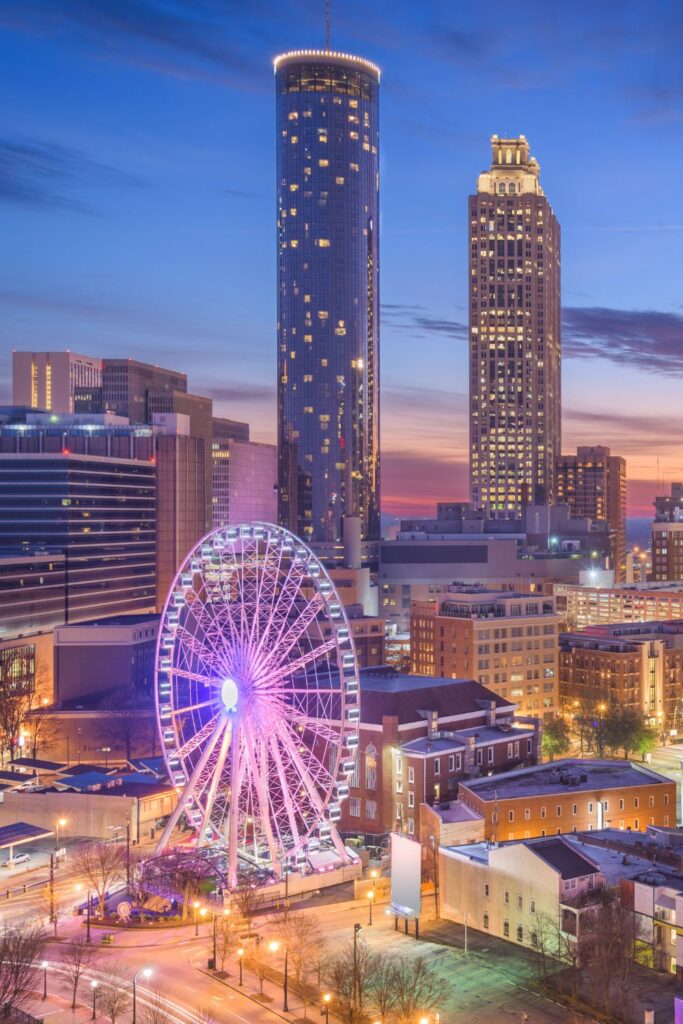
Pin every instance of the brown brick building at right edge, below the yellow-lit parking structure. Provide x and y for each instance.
(626, 665)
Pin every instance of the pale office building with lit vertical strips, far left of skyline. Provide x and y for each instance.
(51, 380)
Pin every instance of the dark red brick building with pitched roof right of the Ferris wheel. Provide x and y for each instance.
(418, 739)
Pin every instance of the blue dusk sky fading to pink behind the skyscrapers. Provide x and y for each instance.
(138, 206)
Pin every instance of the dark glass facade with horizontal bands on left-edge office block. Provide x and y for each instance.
(101, 514)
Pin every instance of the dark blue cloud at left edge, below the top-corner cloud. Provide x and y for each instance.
(41, 174)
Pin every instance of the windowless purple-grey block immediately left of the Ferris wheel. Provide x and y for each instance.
(113, 655)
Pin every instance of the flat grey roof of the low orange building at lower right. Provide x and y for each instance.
(547, 780)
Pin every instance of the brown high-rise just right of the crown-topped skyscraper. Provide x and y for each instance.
(592, 483)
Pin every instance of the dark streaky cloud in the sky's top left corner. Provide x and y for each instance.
(191, 39)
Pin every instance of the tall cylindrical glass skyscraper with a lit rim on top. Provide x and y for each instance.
(328, 293)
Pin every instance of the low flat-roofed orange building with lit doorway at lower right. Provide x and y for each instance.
(571, 796)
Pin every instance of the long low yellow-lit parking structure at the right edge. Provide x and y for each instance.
(581, 607)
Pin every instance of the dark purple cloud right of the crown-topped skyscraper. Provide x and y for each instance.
(646, 339)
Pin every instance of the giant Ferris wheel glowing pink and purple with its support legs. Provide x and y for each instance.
(258, 700)
